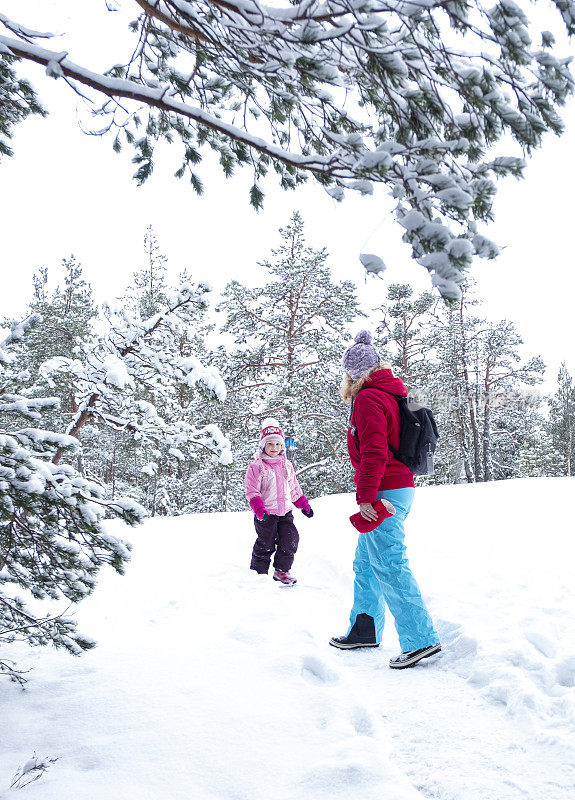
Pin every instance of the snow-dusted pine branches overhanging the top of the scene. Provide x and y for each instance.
(412, 95)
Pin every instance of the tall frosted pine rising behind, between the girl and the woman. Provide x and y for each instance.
(291, 334)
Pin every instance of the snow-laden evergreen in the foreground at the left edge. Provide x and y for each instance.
(52, 538)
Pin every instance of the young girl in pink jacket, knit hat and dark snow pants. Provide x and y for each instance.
(272, 491)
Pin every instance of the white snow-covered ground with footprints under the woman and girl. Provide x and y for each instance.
(213, 683)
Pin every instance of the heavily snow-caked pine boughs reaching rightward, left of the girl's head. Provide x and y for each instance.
(126, 377)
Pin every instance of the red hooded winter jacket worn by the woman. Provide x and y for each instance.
(374, 425)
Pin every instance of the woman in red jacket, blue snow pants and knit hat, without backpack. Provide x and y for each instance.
(382, 573)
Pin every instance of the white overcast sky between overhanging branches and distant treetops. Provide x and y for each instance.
(65, 192)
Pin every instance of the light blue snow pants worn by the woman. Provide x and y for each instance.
(382, 575)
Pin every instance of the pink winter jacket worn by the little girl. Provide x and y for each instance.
(274, 480)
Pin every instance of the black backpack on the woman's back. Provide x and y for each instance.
(418, 436)
